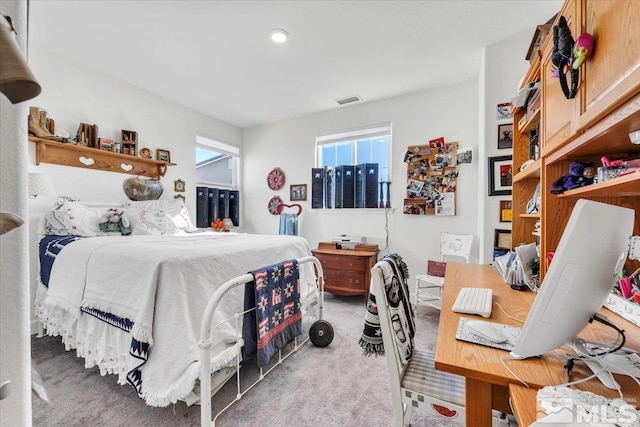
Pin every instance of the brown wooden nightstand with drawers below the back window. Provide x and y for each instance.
(346, 271)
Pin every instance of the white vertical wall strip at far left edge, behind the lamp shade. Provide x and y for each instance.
(15, 410)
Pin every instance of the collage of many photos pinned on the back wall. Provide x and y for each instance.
(432, 175)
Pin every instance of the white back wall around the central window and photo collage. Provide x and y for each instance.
(450, 112)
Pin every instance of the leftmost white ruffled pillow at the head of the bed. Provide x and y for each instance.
(77, 219)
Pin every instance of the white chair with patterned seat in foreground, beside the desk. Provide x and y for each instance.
(415, 383)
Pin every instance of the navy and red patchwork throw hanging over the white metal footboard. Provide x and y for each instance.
(277, 319)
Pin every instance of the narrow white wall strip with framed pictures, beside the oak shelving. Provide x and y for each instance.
(504, 65)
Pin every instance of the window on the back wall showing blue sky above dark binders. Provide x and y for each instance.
(371, 144)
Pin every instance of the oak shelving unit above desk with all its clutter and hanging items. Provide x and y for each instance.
(594, 118)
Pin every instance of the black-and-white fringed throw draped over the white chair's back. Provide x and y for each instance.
(395, 274)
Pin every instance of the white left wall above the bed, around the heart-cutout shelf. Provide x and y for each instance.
(72, 94)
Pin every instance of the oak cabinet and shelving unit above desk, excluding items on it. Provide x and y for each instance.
(595, 123)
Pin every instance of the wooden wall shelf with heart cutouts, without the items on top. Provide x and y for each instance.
(48, 151)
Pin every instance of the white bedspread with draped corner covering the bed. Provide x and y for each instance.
(162, 284)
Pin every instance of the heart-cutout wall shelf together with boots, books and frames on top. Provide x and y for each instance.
(89, 151)
